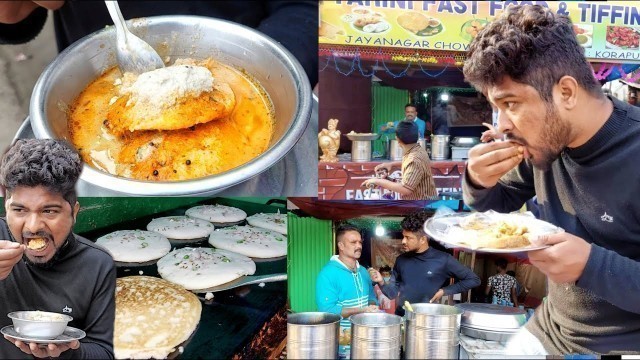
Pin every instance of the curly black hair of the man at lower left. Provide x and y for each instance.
(41, 162)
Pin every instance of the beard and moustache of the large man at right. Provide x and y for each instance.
(555, 133)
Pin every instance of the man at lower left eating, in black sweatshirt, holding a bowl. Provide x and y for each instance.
(43, 265)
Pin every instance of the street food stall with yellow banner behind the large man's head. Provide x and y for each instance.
(376, 57)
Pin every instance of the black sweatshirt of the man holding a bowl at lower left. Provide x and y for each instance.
(80, 284)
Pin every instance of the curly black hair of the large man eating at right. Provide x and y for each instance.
(532, 45)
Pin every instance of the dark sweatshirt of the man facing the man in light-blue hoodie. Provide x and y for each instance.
(418, 276)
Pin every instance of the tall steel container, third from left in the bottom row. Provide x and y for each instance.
(432, 332)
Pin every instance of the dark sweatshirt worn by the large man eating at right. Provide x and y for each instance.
(592, 191)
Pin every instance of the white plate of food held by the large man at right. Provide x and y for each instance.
(490, 231)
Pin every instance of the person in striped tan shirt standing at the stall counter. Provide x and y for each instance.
(417, 182)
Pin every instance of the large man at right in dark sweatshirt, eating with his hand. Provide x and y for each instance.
(575, 149)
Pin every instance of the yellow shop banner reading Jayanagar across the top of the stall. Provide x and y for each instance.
(607, 30)
